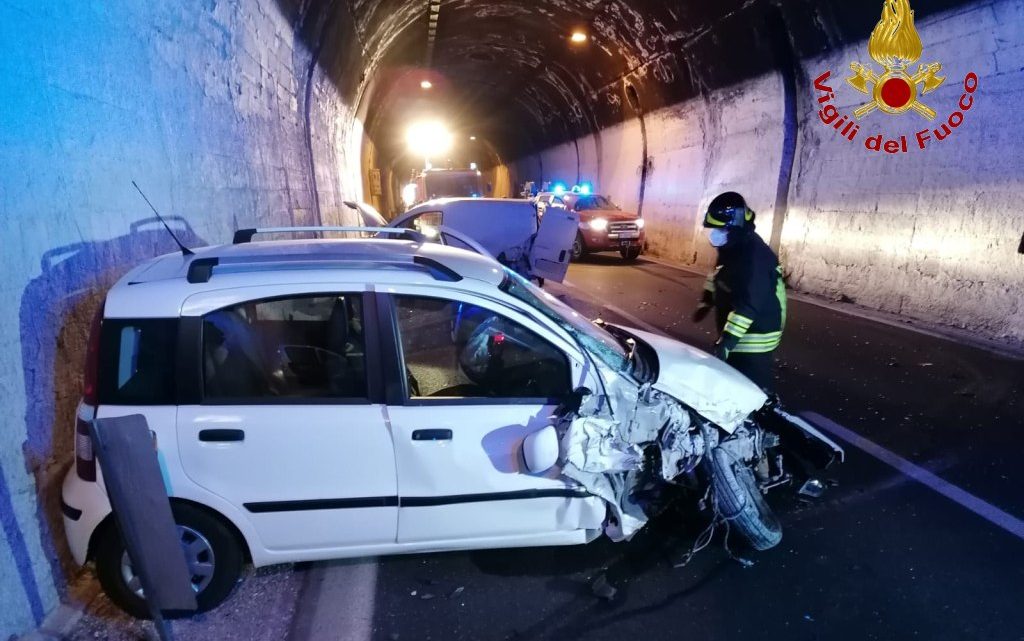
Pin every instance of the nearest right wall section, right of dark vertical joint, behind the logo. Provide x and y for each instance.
(932, 234)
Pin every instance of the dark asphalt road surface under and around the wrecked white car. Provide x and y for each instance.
(921, 538)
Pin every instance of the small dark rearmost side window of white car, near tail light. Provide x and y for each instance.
(138, 362)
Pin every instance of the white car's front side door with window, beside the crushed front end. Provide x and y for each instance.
(477, 378)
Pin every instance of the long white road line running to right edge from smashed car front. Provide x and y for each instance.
(986, 510)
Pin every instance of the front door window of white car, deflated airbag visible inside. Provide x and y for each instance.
(459, 351)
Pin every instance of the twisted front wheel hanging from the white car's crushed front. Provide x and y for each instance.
(741, 502)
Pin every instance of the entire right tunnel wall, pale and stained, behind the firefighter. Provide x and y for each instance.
(931, 234)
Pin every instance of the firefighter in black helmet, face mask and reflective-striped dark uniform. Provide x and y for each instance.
(746, 290)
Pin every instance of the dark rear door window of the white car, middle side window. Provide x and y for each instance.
(285, 350)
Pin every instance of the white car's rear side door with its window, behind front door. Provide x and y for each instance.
(287, 423)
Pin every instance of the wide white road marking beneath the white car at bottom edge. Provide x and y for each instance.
(338, 602)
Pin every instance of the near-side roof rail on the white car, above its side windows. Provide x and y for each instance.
(201, 270)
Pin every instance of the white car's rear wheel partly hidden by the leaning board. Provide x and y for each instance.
(207, 541)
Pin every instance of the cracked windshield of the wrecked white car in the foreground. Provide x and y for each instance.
(595, 340)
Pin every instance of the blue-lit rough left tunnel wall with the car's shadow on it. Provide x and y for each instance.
(197, 101)
